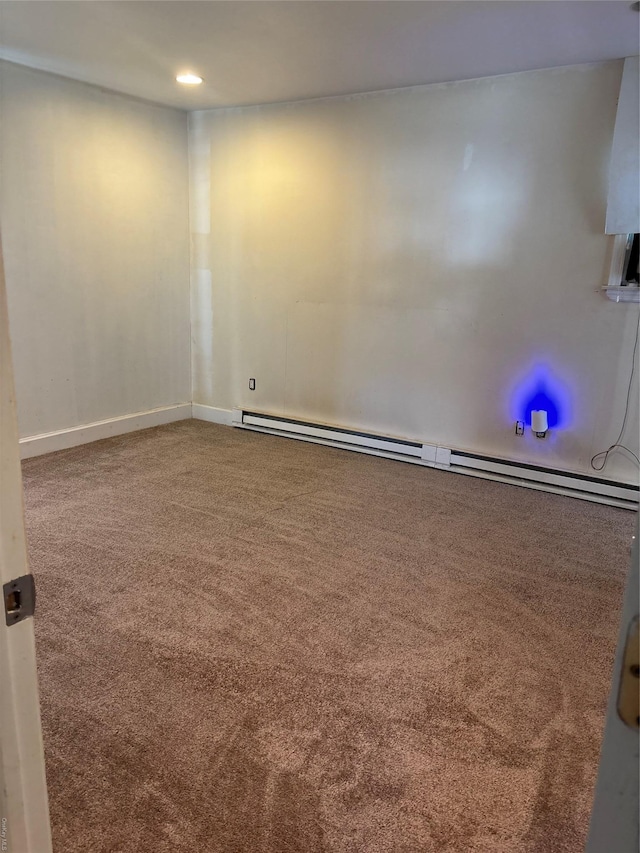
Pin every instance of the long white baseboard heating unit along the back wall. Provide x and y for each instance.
(430, 455)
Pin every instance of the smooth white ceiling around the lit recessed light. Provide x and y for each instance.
(263, 51)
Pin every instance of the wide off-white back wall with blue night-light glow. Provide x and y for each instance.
(402, 262)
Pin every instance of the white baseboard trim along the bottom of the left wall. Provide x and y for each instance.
(37, 445)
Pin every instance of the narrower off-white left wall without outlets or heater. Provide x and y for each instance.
(94, 219)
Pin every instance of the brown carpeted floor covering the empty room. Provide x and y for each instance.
(248, 644)
